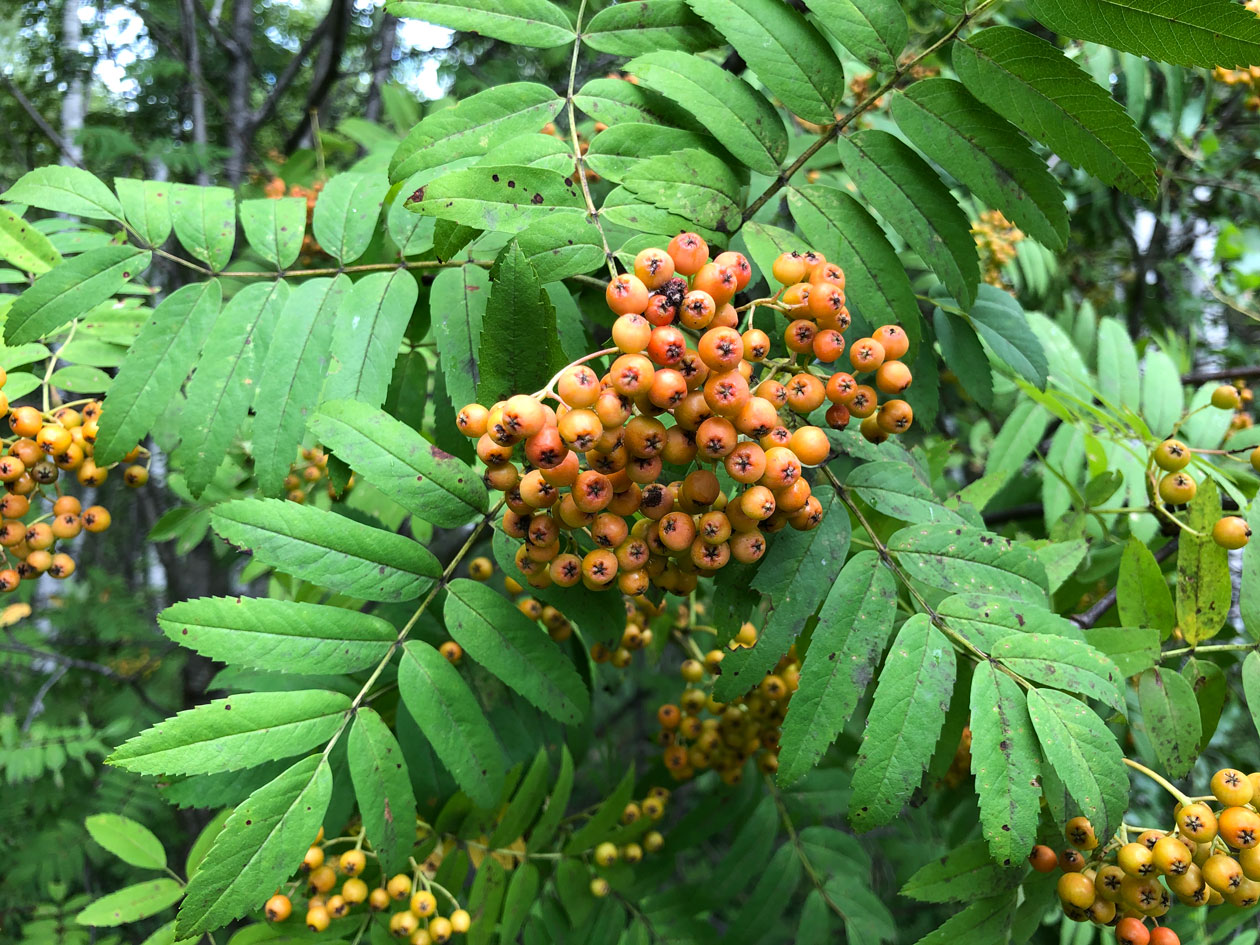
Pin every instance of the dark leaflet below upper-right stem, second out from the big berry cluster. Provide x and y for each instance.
(913, 200)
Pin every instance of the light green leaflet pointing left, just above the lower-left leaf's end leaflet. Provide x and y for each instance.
(232, 734)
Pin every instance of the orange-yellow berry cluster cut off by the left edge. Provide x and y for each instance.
(42, 448)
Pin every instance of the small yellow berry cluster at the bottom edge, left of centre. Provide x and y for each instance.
(418, 923)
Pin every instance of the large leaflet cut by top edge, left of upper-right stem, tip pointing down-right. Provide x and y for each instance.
(789, 56)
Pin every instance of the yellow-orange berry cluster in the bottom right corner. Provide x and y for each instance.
(1210, 857)
